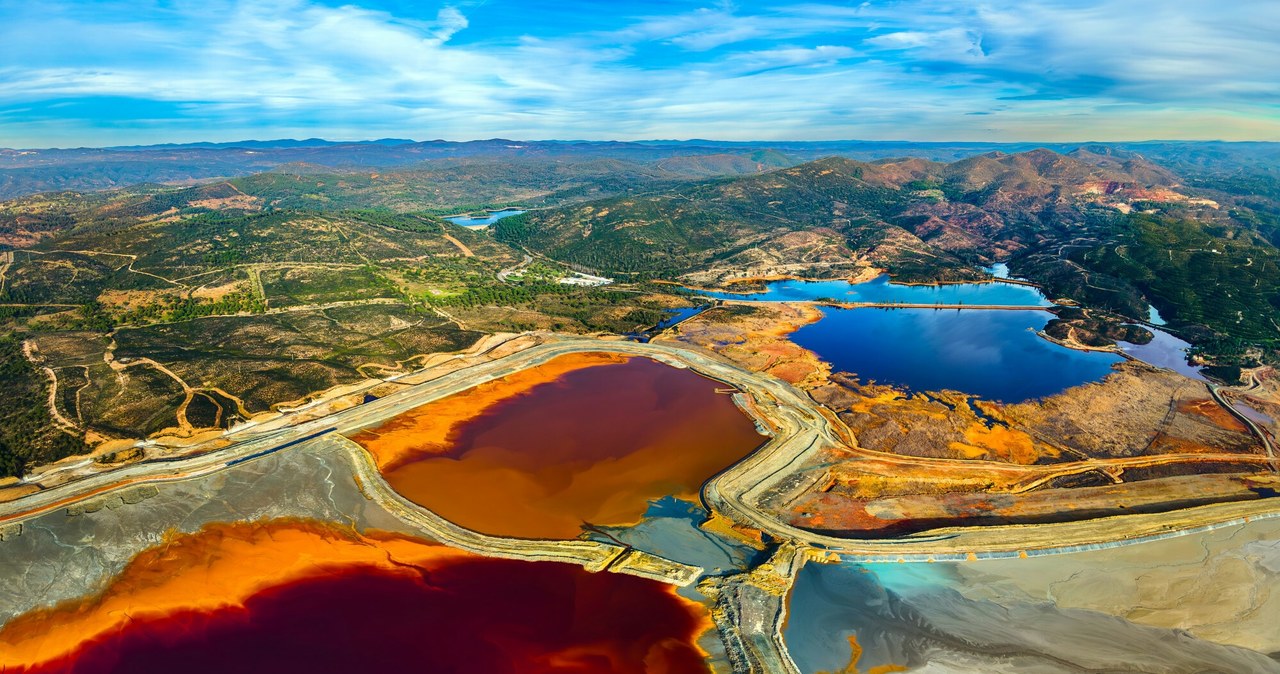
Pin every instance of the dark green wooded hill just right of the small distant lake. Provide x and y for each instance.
(679, 231)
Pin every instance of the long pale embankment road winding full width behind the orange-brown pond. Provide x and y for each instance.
(801, 427)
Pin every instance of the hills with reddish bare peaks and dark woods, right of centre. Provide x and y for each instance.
(1050, 216)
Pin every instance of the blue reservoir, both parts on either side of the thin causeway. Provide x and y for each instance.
(990, 354)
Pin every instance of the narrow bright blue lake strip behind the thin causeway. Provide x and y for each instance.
(1004, 295)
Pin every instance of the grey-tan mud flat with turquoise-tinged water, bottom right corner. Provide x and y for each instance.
(1201, 603)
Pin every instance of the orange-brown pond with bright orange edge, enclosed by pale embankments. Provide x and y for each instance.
(582, 439)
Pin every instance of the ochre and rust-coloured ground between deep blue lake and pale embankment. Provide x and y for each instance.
(947, 458)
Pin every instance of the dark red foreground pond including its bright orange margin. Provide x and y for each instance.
(308, 597)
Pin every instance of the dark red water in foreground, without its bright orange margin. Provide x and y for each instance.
(483, 617)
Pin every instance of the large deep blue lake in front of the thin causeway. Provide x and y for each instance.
(991, 354)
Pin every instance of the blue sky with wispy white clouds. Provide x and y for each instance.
(136, 72)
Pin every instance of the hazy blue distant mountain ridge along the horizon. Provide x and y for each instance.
(26, 172)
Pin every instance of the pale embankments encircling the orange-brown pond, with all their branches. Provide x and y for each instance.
(798, 427)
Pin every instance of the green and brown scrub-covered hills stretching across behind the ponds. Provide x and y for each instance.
(171, 309)
